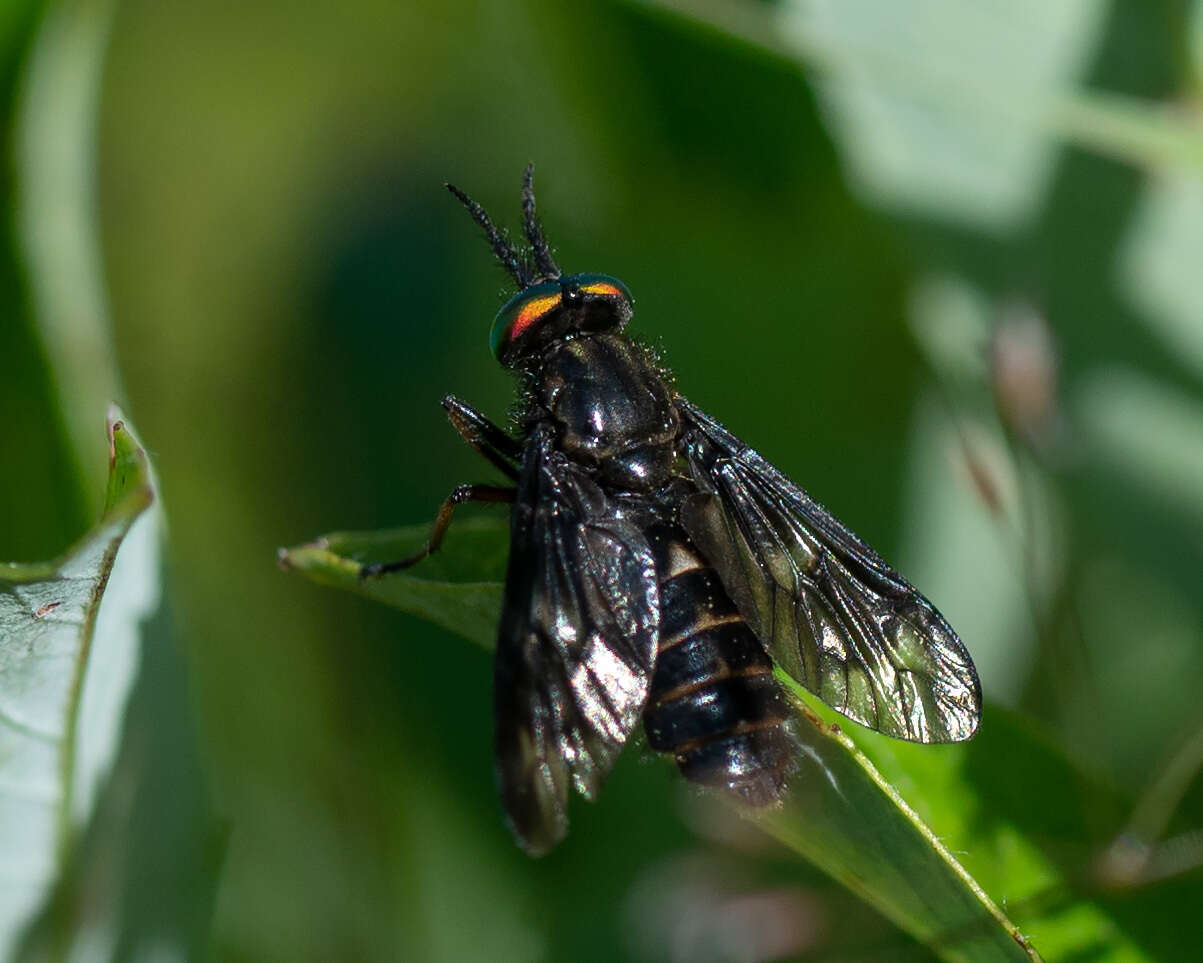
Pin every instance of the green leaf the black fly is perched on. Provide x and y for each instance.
(845, 814)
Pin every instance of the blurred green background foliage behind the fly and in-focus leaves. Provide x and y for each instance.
(941, 264)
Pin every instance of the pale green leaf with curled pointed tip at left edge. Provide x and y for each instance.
(67, 667)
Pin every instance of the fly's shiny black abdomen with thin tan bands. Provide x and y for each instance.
(714, 704)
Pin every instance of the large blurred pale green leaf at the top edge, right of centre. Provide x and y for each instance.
(925, 145)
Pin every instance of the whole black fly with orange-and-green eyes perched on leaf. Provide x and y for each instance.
(660, 570)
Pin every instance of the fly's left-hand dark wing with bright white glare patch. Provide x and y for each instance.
(577, 643)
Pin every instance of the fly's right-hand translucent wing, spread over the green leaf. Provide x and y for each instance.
(825, 605)
